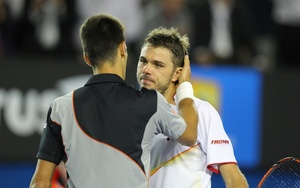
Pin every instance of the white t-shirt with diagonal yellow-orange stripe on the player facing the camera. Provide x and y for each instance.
(177, 166)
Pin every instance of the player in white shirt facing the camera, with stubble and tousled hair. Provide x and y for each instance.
(173, 165)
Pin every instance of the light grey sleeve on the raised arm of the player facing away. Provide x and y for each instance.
(169, 123)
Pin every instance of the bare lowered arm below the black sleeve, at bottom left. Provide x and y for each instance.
(42, 177)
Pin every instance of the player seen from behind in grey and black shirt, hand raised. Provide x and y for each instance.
(103, 130)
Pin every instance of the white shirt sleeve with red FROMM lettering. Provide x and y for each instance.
(214, 139)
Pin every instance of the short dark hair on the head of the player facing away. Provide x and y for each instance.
(100, 37)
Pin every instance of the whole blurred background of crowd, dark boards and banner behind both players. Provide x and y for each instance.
(244, 56)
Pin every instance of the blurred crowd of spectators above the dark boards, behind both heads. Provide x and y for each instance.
(256, 33)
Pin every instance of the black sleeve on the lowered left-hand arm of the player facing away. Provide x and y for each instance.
(51, 147)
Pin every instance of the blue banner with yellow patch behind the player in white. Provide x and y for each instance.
(236, 93)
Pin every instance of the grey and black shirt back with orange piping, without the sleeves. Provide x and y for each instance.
(110, 130)
